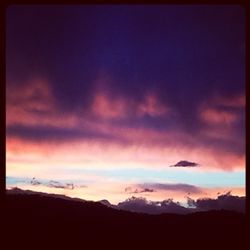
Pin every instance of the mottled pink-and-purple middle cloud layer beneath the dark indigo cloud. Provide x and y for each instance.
(47, 126)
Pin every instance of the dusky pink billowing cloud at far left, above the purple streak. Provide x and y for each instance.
(26, 101)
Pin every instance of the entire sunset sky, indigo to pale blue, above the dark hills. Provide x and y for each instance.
(114, 101)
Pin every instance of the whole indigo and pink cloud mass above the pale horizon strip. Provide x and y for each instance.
(151, 96)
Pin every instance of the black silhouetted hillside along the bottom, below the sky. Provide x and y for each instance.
(34, 221)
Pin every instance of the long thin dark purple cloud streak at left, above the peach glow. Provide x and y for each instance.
(47, 133)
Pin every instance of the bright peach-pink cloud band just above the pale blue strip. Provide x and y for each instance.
(140, 154)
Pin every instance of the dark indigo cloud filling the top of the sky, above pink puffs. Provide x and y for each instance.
(132, 71)
